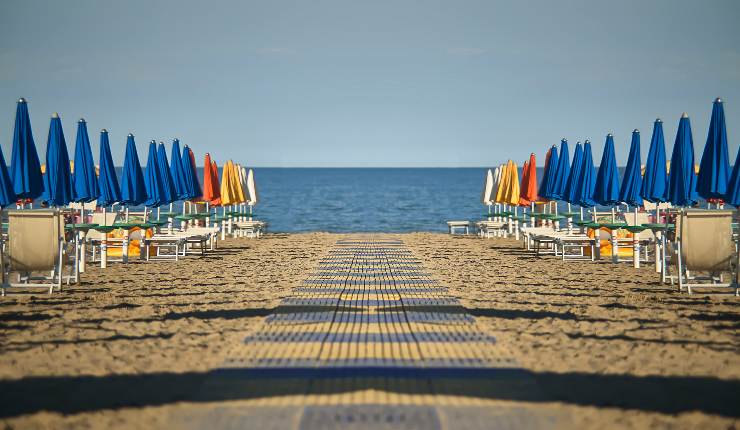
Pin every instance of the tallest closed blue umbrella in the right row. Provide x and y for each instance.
(714, 168)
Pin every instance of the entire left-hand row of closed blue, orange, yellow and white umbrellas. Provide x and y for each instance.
(162, 182)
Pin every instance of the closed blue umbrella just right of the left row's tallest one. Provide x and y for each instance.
(57, 180)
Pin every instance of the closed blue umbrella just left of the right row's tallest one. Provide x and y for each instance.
(682, 180)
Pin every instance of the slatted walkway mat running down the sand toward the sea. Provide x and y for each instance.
(370, 341)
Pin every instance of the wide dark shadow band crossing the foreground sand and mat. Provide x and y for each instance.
(74, 394)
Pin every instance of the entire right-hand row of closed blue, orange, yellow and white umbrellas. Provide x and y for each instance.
(578, 182)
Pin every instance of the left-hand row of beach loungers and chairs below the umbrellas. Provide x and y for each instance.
(38, 251)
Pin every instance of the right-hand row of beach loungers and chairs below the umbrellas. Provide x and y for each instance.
(698, 250)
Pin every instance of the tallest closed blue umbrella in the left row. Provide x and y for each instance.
(25, 168)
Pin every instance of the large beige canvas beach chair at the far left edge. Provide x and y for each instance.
(36, 246)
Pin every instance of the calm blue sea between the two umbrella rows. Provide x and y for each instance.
(367, 200)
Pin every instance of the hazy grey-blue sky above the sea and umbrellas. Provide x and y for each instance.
(375, 83)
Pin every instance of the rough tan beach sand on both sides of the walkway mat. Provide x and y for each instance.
(608, 344)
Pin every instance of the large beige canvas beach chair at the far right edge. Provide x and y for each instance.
(704, 243)
